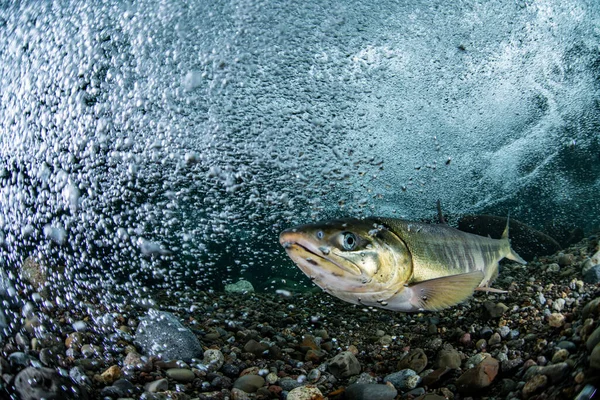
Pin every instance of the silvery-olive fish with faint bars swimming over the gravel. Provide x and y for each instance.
(396, 264)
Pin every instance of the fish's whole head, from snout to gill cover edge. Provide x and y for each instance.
(357, 260)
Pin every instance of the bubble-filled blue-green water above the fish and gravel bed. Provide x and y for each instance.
(164, 145)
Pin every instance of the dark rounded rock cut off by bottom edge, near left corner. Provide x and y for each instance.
(45, 383)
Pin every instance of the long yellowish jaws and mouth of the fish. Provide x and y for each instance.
(308, 254)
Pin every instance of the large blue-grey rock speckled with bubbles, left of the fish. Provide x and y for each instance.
(161, 334)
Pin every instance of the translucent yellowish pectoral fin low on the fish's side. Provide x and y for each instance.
(439, 293)
